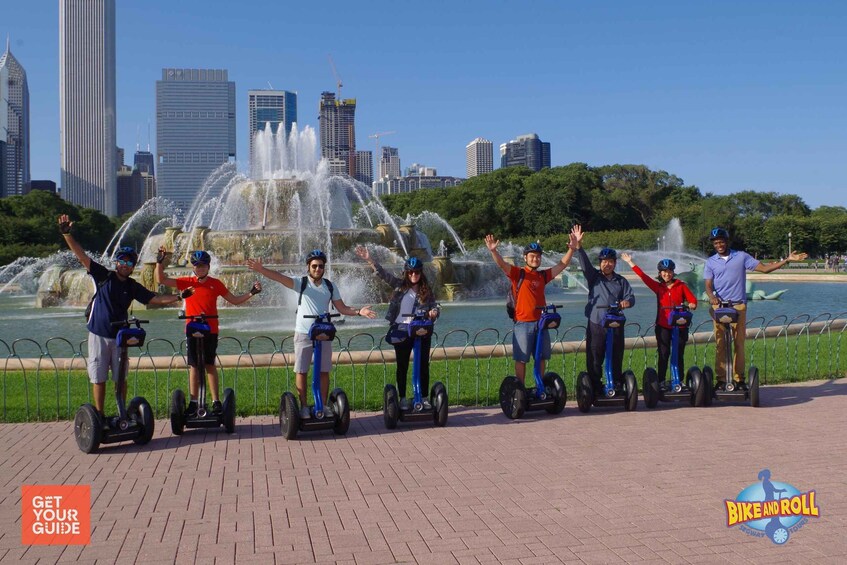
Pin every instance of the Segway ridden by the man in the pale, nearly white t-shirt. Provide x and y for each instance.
(290, 422)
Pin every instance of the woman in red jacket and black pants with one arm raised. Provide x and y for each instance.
(670, 292)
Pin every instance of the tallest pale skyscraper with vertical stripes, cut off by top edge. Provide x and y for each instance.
(87, 103)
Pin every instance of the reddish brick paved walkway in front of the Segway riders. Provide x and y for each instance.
(604, 487)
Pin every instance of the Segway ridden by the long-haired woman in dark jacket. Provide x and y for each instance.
(420, 327)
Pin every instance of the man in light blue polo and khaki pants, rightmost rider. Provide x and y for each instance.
(726, 279)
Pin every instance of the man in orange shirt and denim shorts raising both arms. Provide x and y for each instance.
(529, 297)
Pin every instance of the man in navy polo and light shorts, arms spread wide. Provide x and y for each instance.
(115, 292)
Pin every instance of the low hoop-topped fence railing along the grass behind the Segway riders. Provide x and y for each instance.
(47, 381)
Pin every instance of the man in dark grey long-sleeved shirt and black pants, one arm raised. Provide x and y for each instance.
(605, 288)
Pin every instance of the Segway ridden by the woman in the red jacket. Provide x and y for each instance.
(694, 389)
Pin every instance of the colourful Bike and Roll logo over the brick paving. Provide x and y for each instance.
(771, 509)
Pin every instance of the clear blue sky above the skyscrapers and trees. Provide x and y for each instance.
(727, 95)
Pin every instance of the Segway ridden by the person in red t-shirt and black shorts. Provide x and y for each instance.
(197, 329)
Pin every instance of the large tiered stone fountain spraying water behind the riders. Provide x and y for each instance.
(288, 205)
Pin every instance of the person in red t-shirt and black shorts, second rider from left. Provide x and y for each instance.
(204, 301)
